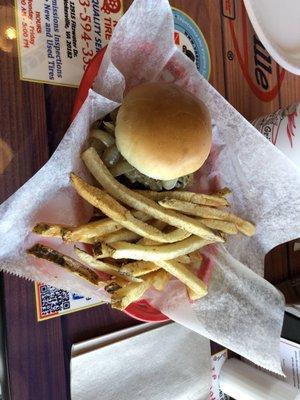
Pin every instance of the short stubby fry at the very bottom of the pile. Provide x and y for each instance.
(121, 298)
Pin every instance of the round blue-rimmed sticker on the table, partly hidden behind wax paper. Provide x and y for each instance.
(189, 39)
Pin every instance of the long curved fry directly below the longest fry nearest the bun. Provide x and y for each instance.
(113, 209)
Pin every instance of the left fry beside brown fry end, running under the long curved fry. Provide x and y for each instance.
(88, 233)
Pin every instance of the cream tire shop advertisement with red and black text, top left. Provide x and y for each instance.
(58, 38)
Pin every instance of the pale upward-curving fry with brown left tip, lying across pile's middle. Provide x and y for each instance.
(132, 251)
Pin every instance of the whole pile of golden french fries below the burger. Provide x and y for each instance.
(141, 238)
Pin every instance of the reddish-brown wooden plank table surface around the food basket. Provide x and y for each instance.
(34, 118)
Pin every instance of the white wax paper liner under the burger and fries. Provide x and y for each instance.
(265, 186)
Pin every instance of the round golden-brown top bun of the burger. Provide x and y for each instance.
(163, 131)
